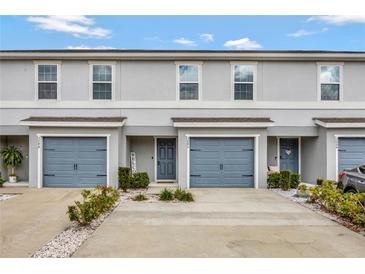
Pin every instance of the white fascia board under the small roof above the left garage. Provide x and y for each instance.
(71, 124)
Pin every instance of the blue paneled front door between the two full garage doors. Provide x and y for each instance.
(166, 159)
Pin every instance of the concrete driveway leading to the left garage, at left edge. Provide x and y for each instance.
(31, 219)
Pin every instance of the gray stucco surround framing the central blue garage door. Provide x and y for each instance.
(183, 147)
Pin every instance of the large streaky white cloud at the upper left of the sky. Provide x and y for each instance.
(77, 25)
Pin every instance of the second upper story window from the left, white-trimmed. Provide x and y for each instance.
(102, 82)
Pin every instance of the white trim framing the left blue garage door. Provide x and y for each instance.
(40, 152)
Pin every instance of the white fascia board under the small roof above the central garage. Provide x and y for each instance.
(222, 125)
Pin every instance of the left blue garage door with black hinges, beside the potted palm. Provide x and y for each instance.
(74, 162)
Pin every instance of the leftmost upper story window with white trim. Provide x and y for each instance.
(47, 81)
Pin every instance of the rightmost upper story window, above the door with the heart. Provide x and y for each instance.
(330, 82)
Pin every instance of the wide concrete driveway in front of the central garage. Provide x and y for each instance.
(221, 223)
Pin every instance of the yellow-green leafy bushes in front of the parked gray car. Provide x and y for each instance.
(344, 204)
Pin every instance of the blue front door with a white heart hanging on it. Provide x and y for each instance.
(289, 154)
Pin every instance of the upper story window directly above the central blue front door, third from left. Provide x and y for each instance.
(188, 81)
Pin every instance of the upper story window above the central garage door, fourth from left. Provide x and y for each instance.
(244, 81)
